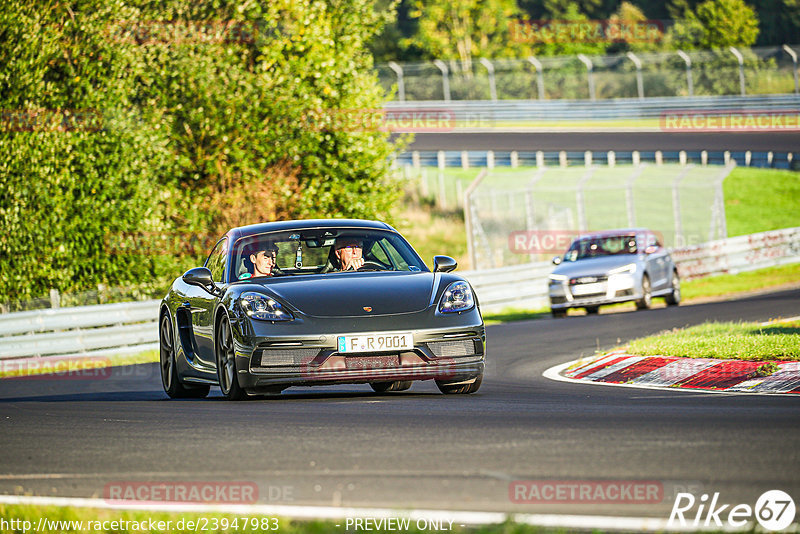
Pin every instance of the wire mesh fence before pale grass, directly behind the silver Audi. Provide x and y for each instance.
(521, 215)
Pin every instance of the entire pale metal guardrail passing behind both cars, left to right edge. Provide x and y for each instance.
(131, 327)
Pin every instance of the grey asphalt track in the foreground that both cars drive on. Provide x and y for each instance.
(345, 446)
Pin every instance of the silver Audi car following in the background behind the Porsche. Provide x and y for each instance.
(613, 266)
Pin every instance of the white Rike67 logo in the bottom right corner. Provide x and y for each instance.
(774, 510)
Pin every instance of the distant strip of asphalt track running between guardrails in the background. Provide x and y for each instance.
(610, 140)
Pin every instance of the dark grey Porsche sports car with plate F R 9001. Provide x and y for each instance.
(319, 302)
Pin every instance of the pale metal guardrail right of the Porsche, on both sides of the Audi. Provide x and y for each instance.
(525, 286)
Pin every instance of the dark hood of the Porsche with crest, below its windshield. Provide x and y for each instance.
(348, 294)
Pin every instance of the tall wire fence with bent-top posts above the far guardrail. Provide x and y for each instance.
(730, 71)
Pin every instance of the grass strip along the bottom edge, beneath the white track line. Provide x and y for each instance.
(98, 520)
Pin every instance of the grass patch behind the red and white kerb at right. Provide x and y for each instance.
(737, 341)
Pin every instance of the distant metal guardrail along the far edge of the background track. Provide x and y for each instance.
(486, 113)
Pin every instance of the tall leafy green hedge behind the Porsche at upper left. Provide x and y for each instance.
(122, 124)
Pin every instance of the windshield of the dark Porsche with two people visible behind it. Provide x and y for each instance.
(322, 251)
